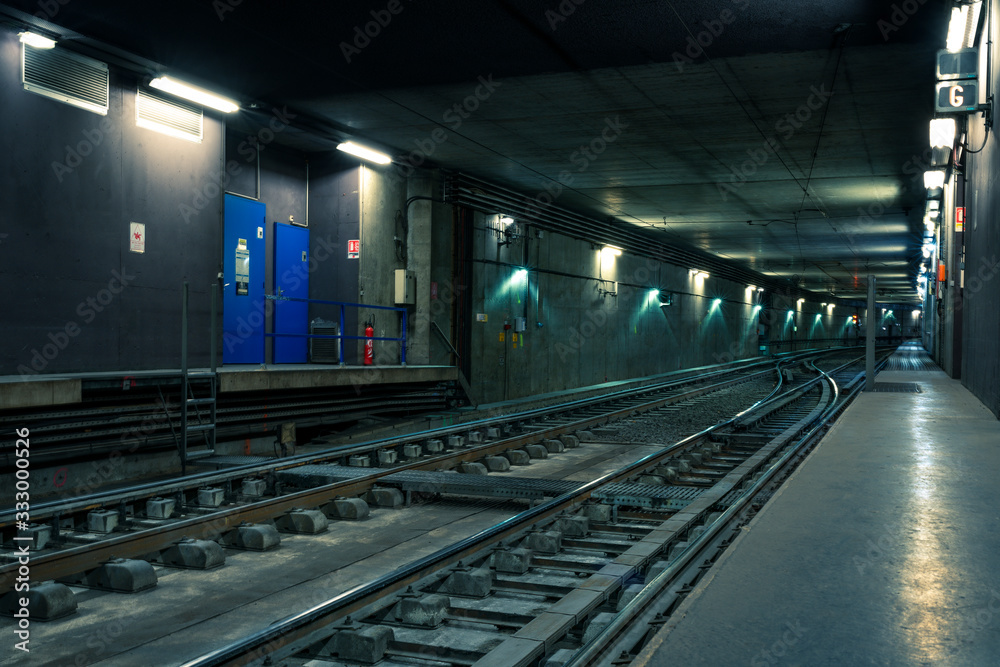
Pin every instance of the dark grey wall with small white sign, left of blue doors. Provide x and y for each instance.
(75, 298)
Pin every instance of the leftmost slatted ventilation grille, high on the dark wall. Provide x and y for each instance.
(67, 77)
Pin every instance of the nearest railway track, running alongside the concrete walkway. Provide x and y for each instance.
(571, 581)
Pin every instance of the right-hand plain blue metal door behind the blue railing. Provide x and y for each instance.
(291, 280)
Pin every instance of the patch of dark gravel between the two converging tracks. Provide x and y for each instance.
(667, 427)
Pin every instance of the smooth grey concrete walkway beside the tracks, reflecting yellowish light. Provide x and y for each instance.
(883, 548)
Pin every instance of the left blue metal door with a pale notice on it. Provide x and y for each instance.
(243, 304)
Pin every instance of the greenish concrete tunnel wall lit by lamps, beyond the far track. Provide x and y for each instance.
(578, 334)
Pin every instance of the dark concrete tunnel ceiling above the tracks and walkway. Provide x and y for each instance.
(784, 135)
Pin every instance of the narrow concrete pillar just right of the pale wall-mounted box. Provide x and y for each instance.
(418, 259)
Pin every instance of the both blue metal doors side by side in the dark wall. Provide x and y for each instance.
(245, 299)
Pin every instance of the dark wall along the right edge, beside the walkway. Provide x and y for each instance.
(977, 307)
